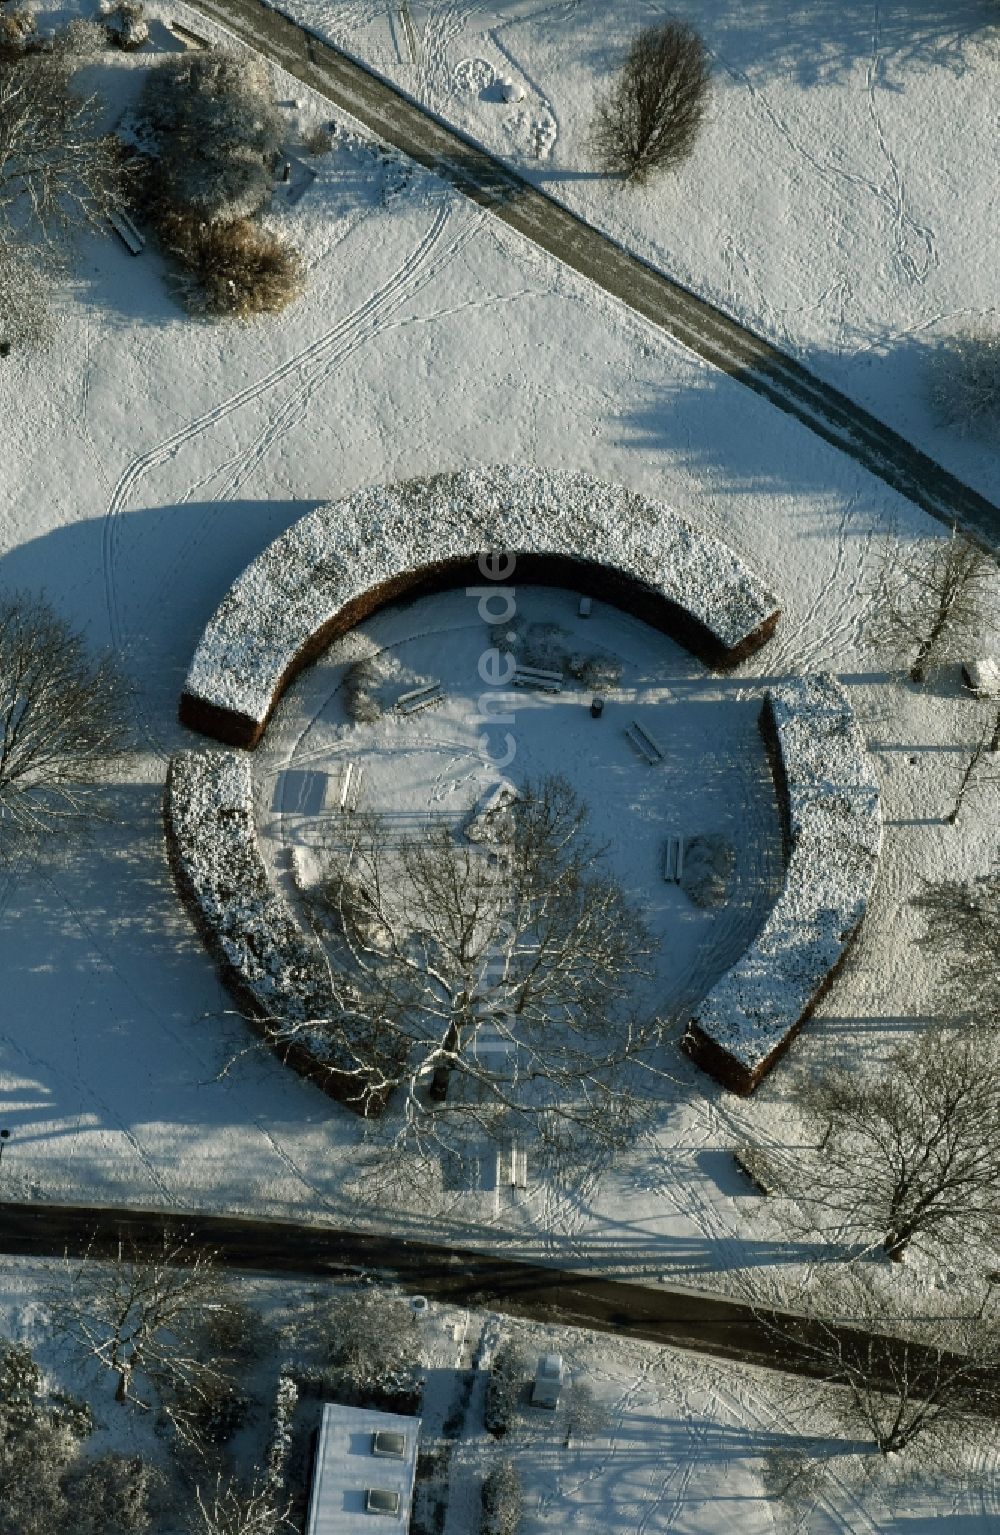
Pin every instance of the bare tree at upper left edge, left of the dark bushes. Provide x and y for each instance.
(58, 167)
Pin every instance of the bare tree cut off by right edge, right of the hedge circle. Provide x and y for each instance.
(964, 936)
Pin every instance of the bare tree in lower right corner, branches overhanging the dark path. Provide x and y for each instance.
(899, 1378)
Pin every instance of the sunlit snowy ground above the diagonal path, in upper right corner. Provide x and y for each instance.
(841, 196)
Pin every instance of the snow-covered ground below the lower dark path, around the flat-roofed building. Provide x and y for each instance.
(644, 1441)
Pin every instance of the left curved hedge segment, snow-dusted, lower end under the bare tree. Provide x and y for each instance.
(274, 968)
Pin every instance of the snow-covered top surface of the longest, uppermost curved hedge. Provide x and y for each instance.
(345, 549)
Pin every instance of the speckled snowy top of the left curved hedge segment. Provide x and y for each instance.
(211, 819)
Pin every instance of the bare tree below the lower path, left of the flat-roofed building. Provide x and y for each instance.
(142, 1313)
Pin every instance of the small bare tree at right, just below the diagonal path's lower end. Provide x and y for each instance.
(935, 602)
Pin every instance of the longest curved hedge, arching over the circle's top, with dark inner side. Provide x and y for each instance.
(346, 560)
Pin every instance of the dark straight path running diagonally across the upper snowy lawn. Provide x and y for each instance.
(690, 320)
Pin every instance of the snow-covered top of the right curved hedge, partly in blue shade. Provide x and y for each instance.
(835, 824)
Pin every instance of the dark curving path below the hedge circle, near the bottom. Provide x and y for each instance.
(669, 1316)
